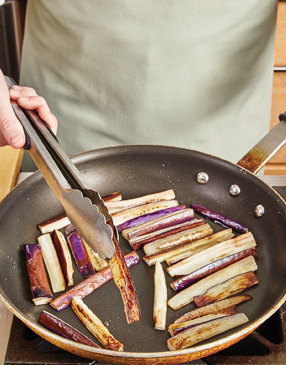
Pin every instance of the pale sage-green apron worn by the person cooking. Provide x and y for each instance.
(188, 73)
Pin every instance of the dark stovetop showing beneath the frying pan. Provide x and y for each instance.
(265, 346)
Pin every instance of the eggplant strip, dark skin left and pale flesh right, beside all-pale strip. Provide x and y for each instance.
(64, 256)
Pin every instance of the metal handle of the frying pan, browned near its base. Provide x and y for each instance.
(267, 147)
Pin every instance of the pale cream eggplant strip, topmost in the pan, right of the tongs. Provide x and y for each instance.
(114, 207)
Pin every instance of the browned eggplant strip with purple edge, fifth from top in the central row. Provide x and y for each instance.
(166, 232)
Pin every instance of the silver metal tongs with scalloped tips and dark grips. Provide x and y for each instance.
(83, 206)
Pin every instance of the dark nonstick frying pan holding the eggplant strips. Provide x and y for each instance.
(134, 171)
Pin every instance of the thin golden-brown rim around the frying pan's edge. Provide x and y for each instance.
(217, 344)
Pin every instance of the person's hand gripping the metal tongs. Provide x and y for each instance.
(11, 130)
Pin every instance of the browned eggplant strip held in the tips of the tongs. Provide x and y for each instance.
(124, 283)
